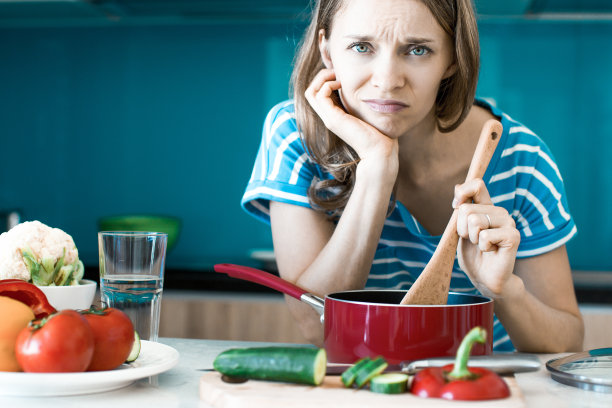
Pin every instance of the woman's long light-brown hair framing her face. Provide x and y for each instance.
(453, 102)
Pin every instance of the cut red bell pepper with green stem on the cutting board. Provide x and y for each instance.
(457, 381)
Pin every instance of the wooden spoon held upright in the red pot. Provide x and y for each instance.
(432, 286)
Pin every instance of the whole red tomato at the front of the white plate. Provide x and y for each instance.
(63, 342)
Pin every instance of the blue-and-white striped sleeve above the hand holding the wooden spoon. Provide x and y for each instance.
(527, 182)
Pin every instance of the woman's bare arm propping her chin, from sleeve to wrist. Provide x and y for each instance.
(334, 259)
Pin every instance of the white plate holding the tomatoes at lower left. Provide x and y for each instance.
(154, 358)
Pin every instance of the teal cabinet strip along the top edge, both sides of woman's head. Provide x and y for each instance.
(15, 13)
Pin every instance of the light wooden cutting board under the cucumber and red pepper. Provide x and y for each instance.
(266, 394)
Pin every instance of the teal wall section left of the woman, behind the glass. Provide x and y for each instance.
(111, 120)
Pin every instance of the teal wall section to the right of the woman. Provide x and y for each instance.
(556, 78)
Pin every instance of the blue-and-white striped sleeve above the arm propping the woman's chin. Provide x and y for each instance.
(282, 171)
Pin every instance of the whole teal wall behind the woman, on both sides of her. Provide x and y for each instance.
(123, 119)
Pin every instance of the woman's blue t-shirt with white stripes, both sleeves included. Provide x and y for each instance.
(522, 177)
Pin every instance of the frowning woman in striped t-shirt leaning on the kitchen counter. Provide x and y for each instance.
(384, 103)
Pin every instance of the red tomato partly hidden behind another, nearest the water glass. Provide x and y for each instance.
(114, 336)
